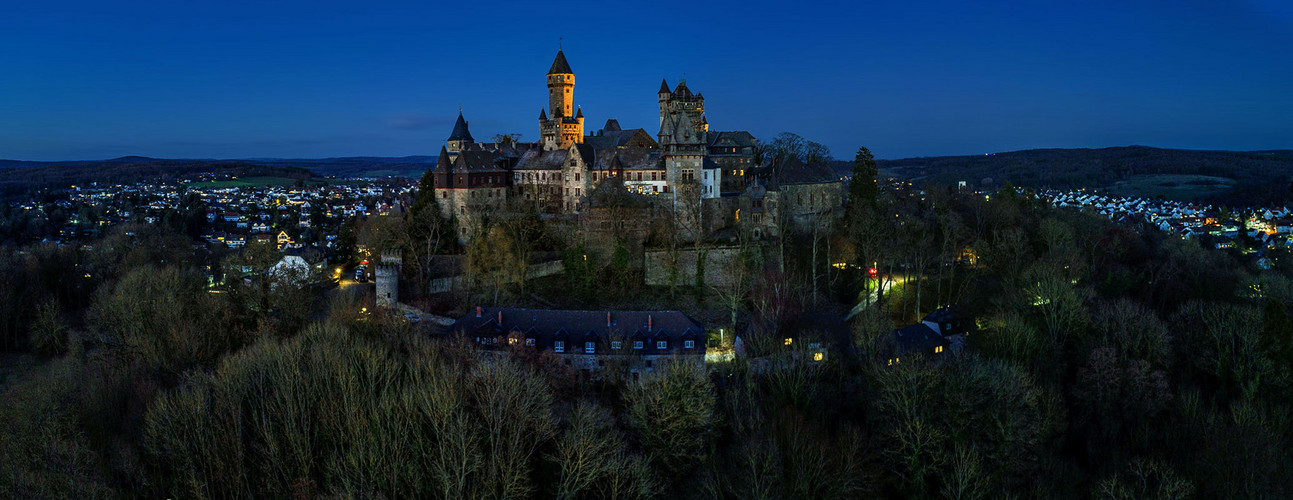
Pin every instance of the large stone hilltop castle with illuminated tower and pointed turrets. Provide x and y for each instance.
(705, 178)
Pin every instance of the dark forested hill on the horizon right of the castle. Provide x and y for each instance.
(1230, 178)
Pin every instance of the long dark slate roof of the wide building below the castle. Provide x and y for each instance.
(545, 328)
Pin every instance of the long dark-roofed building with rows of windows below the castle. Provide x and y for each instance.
(589, 340)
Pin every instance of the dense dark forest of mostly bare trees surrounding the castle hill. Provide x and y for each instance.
(1109, 362)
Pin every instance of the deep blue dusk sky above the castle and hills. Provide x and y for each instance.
(311, 79)
